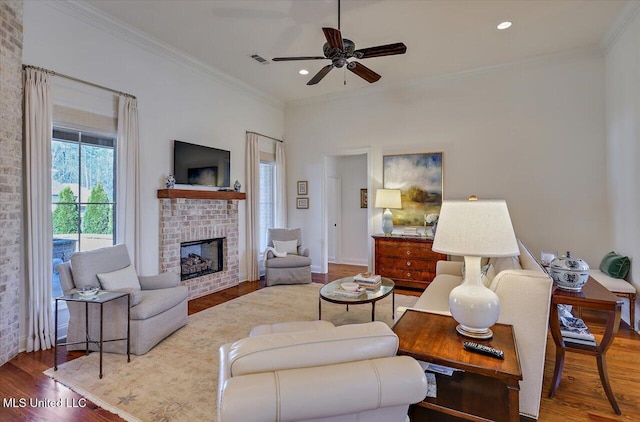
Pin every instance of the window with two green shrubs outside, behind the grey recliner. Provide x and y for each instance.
(83, 193)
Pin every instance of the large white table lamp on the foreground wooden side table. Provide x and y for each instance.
(475, 229)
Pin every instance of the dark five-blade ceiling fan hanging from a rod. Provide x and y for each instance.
(339, 50)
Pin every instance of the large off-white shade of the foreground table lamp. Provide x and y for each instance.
(475, 228)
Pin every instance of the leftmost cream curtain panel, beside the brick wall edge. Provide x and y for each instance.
(38, 110)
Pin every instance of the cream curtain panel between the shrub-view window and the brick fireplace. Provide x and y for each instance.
(128, 212)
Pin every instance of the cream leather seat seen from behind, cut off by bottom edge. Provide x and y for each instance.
(324, 373)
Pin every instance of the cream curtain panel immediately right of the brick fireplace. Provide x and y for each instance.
(253, 205)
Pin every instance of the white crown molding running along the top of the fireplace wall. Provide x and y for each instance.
(118, 29)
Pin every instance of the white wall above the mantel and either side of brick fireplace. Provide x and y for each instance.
(177, 98)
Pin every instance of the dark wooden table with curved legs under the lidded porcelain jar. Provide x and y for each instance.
(592, 296)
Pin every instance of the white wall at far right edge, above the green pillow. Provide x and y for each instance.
(623, 136)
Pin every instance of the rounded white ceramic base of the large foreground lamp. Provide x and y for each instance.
(475, 307)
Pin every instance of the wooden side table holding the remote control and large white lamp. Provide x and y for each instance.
(484, 388)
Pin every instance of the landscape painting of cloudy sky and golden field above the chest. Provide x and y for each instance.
(419, 178)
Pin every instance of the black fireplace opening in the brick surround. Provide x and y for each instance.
(201, 257)
